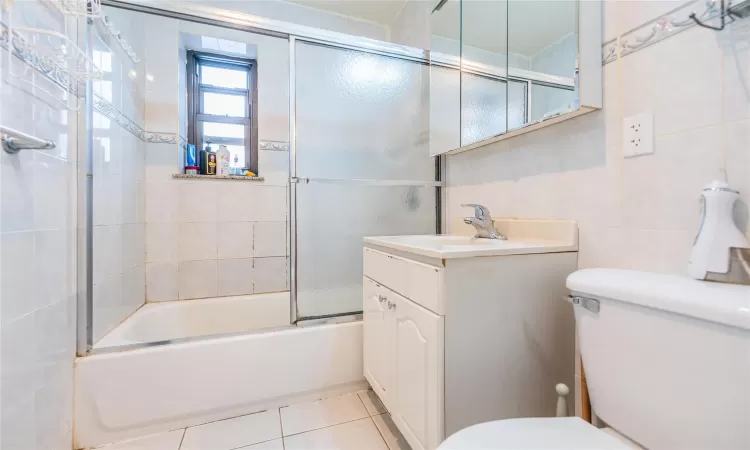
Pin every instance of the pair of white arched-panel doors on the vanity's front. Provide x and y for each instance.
(403, 354)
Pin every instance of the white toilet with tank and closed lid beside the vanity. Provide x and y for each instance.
(667, 363)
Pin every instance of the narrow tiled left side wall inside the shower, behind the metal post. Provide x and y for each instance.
(119, 178)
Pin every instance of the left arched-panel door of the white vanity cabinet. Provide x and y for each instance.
(376, 351)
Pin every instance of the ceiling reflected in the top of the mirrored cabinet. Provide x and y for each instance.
(534, 24)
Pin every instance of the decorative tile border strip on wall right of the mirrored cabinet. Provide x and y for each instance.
(656, 30)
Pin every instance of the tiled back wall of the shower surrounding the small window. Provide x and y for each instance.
(209, 237)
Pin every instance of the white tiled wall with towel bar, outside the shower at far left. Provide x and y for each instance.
(37, 258)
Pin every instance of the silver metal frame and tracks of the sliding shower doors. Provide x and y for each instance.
(236, 20)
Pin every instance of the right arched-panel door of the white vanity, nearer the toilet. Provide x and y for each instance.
(417, 373)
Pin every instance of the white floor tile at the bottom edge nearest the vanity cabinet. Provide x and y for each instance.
(359, 435)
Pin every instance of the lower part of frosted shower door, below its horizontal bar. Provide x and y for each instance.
(332, 219)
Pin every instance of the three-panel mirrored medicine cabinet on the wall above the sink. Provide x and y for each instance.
(507, 65)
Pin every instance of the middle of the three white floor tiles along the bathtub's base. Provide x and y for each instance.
(233, 433)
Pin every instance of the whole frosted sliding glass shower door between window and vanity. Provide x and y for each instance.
(361, 125)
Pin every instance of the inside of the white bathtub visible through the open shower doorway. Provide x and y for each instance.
(155, 322)
